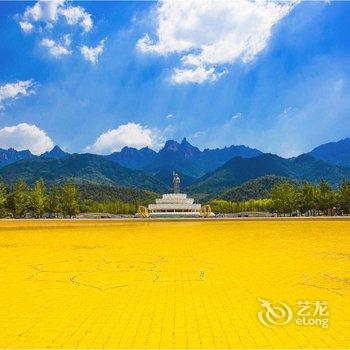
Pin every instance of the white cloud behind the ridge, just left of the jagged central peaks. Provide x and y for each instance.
(131, 134)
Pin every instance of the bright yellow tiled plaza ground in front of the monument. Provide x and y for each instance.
(171, 284)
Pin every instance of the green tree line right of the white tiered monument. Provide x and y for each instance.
(287, 198)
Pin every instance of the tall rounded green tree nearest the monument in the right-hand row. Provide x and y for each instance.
(285, 198)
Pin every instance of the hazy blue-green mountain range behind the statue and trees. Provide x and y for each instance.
(204, 173)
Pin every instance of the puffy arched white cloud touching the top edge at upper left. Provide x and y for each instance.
(48, 12)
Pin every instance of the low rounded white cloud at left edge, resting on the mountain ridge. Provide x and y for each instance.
(25, 136)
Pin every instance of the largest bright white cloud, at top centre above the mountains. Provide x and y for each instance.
(210, 33)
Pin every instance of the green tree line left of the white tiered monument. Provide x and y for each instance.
(57, 201)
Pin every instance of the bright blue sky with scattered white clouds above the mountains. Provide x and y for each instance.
(96, 76)
